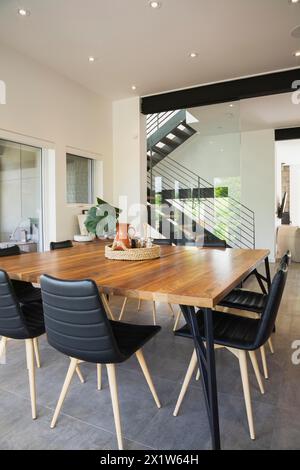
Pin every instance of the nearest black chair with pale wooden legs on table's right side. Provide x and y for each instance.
(240, 334)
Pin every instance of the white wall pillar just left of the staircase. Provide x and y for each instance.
(129, 155)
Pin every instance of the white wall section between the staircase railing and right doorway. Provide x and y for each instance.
(258, 184)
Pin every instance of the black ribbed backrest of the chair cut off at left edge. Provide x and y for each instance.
(12, 324)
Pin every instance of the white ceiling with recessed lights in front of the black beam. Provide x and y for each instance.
(135, 44)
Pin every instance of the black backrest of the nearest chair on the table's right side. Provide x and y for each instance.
(268, 317)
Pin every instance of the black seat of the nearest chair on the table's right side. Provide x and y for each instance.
(229, 330)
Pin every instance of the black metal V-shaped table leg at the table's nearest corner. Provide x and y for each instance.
(206, 362)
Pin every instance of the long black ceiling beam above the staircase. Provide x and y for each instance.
(234, 90)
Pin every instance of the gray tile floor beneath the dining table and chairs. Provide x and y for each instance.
(87, 422)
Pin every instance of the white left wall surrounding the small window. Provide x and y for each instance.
(44, 106)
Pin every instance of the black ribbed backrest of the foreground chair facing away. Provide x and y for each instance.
(76, 321)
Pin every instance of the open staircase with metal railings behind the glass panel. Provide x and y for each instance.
(181, 198)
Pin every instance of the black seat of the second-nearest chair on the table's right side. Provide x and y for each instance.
(243, 299)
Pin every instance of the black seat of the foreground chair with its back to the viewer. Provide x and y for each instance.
(130, 338)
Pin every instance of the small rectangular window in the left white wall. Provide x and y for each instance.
(79, 180)
